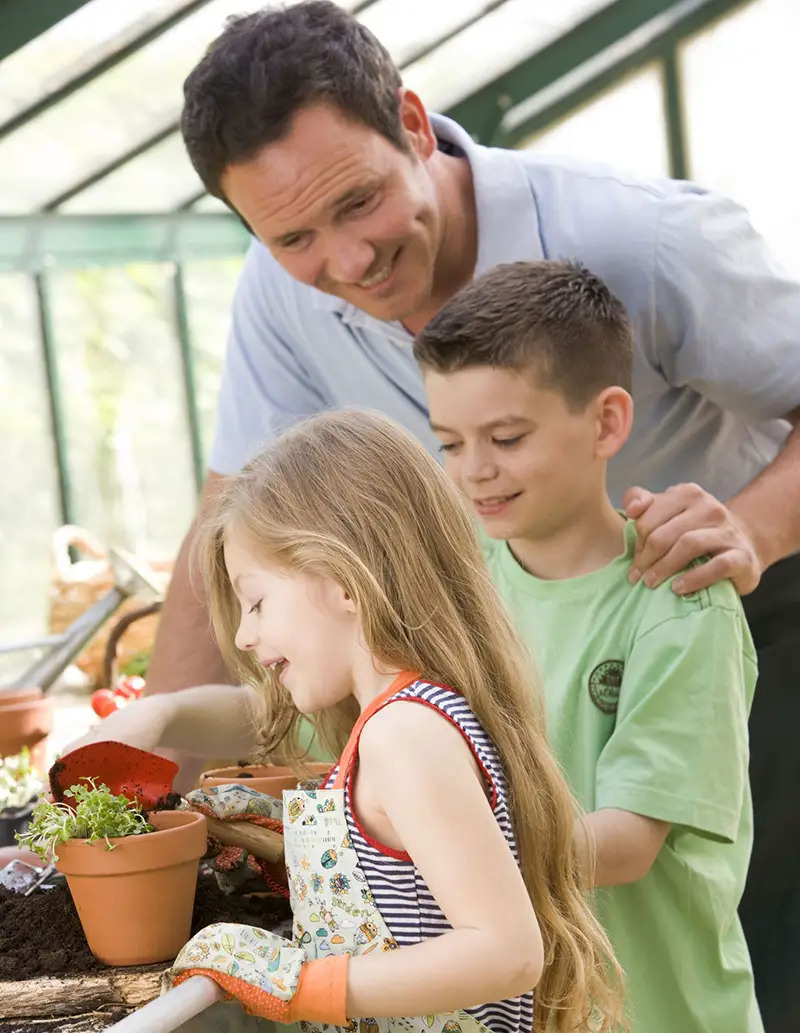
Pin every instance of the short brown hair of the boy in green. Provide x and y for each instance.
(557, 319)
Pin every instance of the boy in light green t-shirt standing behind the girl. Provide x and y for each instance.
(529, 379)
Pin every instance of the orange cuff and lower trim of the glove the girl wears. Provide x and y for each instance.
(321, 997)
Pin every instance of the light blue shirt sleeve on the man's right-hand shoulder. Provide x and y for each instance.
(727, 315)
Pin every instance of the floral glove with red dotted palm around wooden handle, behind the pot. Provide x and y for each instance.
(234, 868)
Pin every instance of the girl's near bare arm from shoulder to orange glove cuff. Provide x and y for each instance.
(419, 790)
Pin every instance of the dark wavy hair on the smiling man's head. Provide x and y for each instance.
(267, 67)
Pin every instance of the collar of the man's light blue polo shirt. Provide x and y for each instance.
(508, 221)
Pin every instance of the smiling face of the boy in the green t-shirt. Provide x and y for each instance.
(528, 464)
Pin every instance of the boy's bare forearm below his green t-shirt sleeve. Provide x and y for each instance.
(620, 848)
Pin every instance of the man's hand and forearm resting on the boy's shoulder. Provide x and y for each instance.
(743, 538)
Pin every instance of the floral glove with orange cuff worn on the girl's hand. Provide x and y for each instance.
(269, 977)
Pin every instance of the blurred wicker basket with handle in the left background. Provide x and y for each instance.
(75, 587)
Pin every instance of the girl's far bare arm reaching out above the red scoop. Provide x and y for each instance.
(207, 722)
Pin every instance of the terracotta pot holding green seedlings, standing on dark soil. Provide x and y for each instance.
(136, 901)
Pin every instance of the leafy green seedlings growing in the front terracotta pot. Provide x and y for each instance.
(99, 815)
